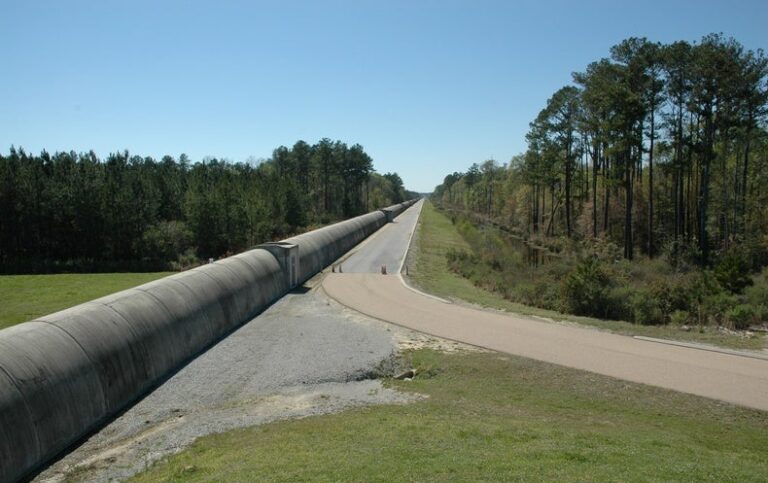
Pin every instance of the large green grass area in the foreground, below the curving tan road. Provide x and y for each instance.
(495, 418)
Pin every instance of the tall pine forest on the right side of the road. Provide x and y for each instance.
(659, 151)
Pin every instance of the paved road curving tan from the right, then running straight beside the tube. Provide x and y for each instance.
(736, 379)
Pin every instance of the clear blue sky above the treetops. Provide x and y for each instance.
(427, 87)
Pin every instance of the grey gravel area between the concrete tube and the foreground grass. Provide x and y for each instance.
(306, 355)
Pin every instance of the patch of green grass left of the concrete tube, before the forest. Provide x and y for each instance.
(26, 297)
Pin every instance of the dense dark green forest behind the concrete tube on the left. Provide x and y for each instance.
(75, 212)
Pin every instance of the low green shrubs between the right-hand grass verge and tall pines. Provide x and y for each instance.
(588, 279)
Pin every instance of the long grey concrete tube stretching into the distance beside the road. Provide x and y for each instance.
(65, 374)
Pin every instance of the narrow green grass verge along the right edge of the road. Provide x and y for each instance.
(429, 271)
